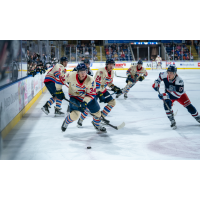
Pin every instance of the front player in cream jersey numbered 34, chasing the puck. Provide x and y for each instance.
(82, 92)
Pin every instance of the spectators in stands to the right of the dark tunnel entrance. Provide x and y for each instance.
(178, 51)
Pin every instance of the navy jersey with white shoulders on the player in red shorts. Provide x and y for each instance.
(175, 87)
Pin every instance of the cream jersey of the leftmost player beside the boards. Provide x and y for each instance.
(54, 73)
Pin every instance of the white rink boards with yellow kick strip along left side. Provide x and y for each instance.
(16, 99)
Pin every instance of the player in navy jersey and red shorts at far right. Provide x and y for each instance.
(174, 91)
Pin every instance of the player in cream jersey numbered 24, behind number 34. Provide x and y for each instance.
(103, 78)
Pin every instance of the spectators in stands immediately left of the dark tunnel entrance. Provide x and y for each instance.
(118, 52)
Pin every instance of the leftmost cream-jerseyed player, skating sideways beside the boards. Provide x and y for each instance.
(52, 78)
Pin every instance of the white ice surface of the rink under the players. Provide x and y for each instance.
(146, 136)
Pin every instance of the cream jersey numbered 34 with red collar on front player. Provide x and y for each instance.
(84, 91)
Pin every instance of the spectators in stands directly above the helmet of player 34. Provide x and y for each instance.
(87, 51)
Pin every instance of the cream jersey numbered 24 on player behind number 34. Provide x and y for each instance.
(103, 79)
